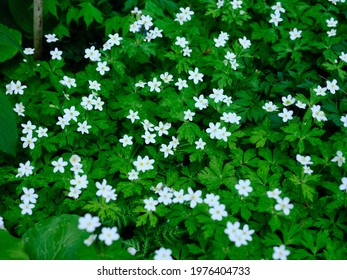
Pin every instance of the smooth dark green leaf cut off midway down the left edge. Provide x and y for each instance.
(8, 129)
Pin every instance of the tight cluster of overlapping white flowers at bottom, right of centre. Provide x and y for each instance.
(237, 235)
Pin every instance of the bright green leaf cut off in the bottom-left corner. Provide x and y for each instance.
(11, 248)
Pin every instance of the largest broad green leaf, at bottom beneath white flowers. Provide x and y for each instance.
(56, 238)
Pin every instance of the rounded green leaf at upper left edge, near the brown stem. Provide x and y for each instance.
(10, 43)
